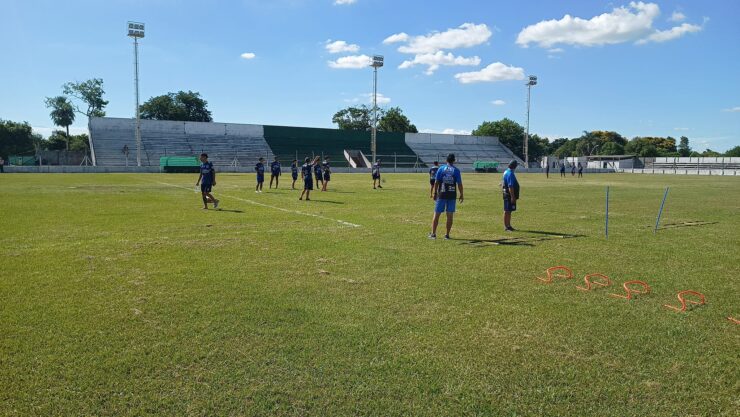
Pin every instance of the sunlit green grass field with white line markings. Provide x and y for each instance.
(119, 296)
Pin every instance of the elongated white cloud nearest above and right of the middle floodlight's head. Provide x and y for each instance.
(465, 36)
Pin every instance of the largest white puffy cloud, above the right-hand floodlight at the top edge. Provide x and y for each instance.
(623, 24)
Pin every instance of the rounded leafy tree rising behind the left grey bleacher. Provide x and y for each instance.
(181, 106)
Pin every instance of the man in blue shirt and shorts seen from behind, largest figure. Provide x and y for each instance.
(446, 183)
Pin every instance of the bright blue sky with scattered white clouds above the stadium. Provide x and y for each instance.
(663, 68)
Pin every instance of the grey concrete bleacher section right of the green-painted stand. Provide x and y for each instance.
(432, 147)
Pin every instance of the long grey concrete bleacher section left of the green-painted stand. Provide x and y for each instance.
(224, 143)
